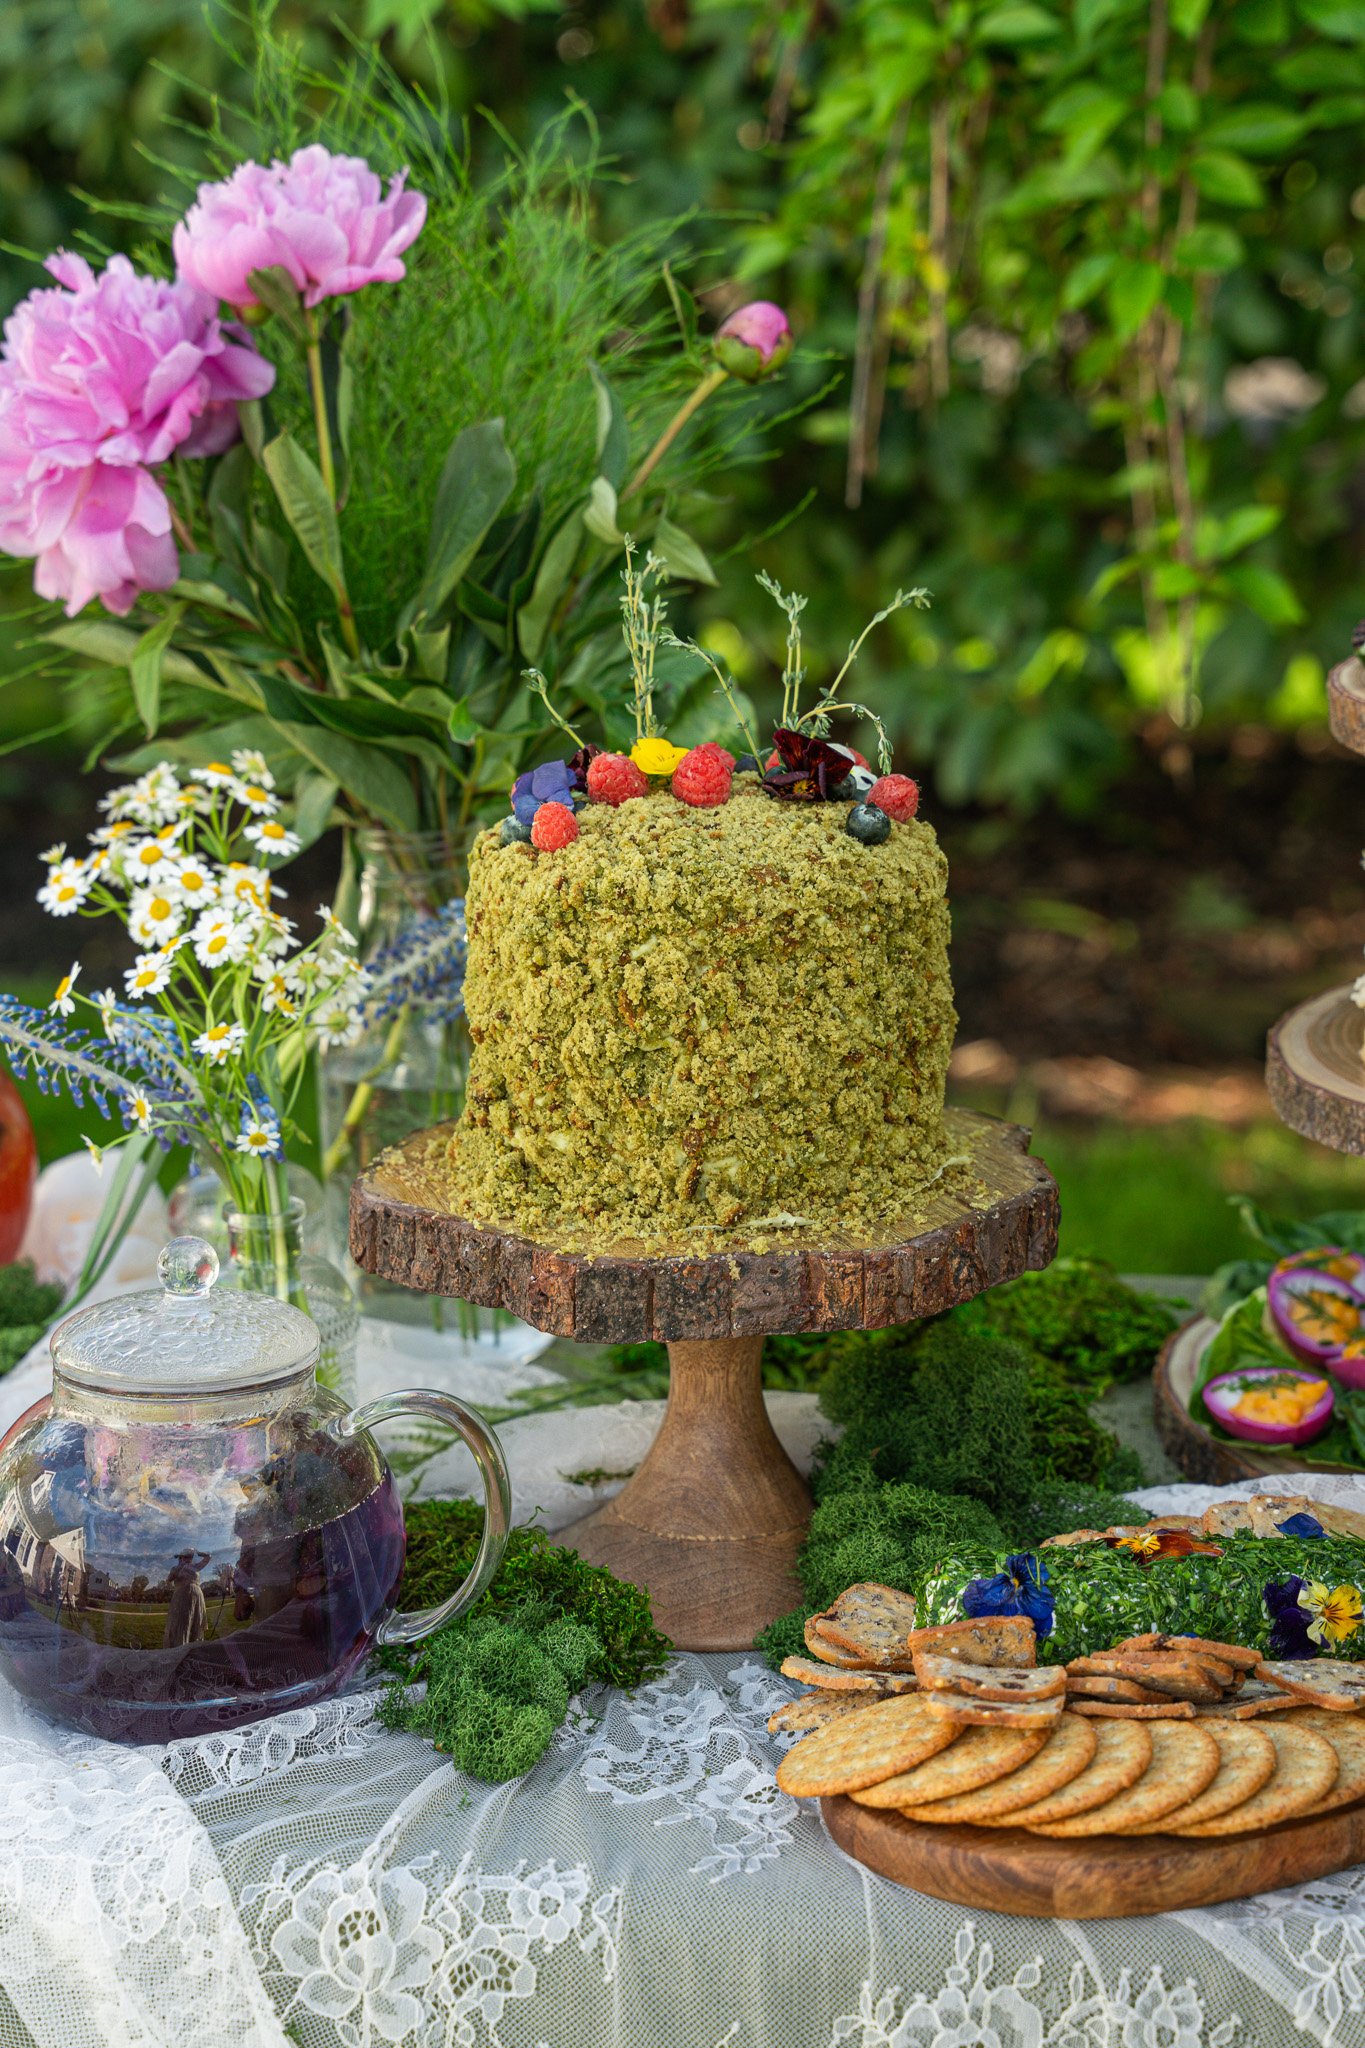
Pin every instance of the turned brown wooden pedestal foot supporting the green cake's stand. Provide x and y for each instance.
(713, 1519)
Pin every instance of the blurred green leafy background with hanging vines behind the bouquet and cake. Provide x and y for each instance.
(1037, 243)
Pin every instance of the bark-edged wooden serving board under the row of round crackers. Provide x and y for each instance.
(1108, 1877)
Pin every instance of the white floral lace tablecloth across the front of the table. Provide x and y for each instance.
(318, 1881)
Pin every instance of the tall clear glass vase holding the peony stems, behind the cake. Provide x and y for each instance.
(406, 1074)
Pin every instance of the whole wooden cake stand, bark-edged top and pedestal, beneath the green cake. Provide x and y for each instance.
(715, 1517)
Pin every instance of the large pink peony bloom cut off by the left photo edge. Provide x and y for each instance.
(103, 378)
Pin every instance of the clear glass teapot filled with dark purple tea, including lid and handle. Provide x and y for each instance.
(193, 1533)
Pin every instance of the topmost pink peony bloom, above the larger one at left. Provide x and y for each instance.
(322, 218)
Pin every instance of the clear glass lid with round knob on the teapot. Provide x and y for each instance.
(187, 1336)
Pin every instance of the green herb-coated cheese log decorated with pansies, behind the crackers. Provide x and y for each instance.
(1286, 1596)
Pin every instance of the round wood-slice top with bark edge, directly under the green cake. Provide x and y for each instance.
(607, 1299)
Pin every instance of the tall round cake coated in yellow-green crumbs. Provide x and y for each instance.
(705, 1029)
